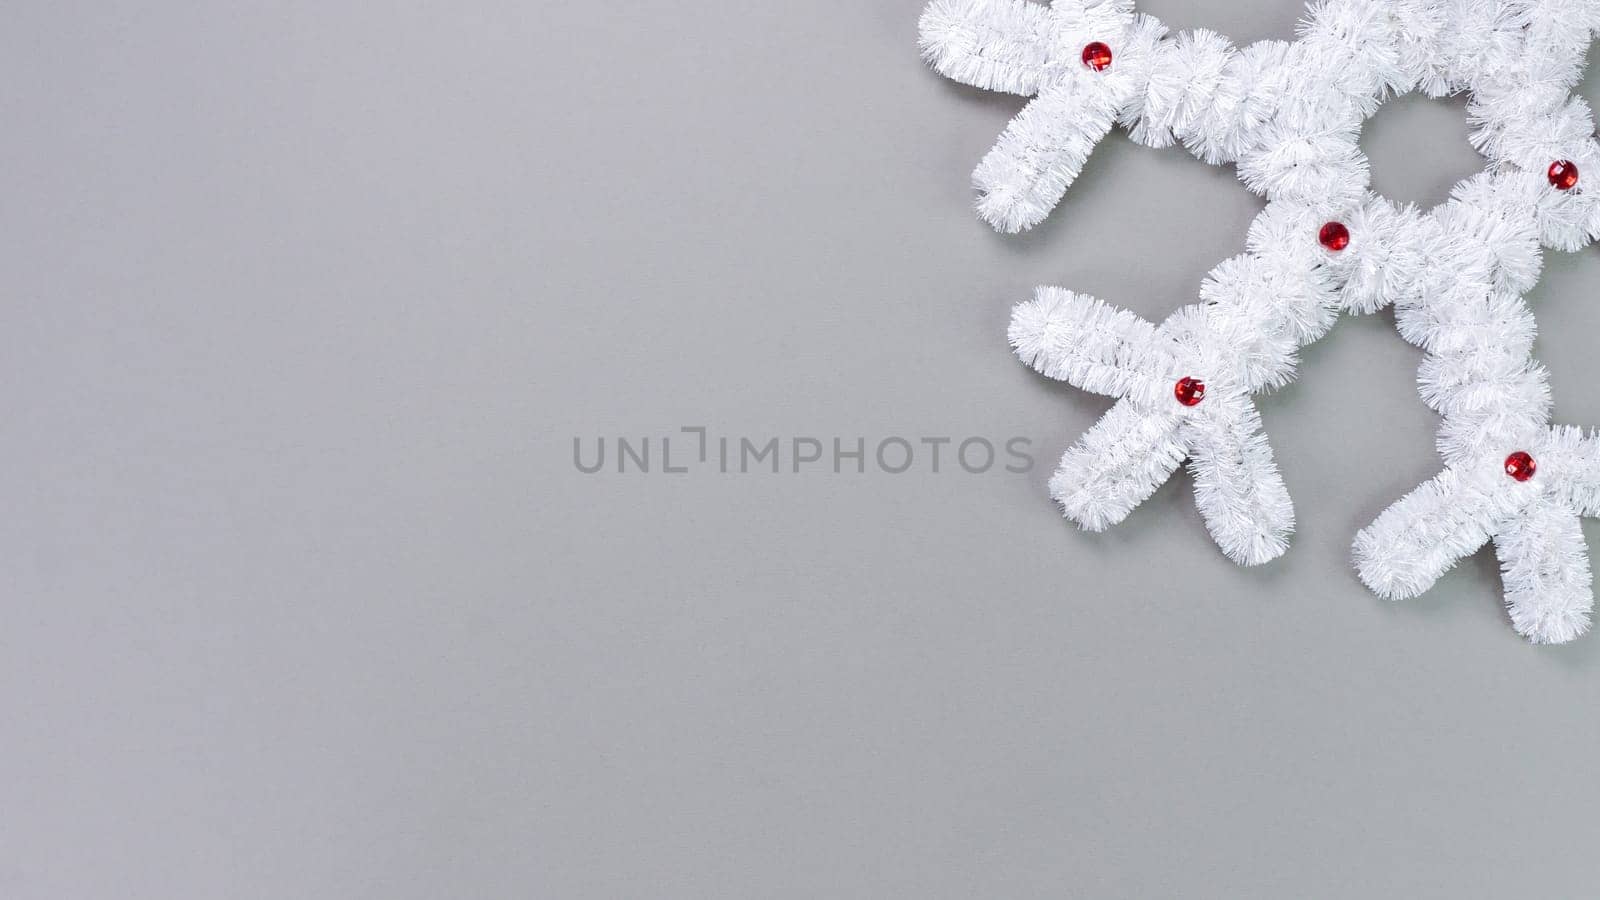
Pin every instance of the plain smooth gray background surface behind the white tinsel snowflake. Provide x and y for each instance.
(306, 302)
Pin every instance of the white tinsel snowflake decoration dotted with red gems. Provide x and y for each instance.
(1289, 115)
